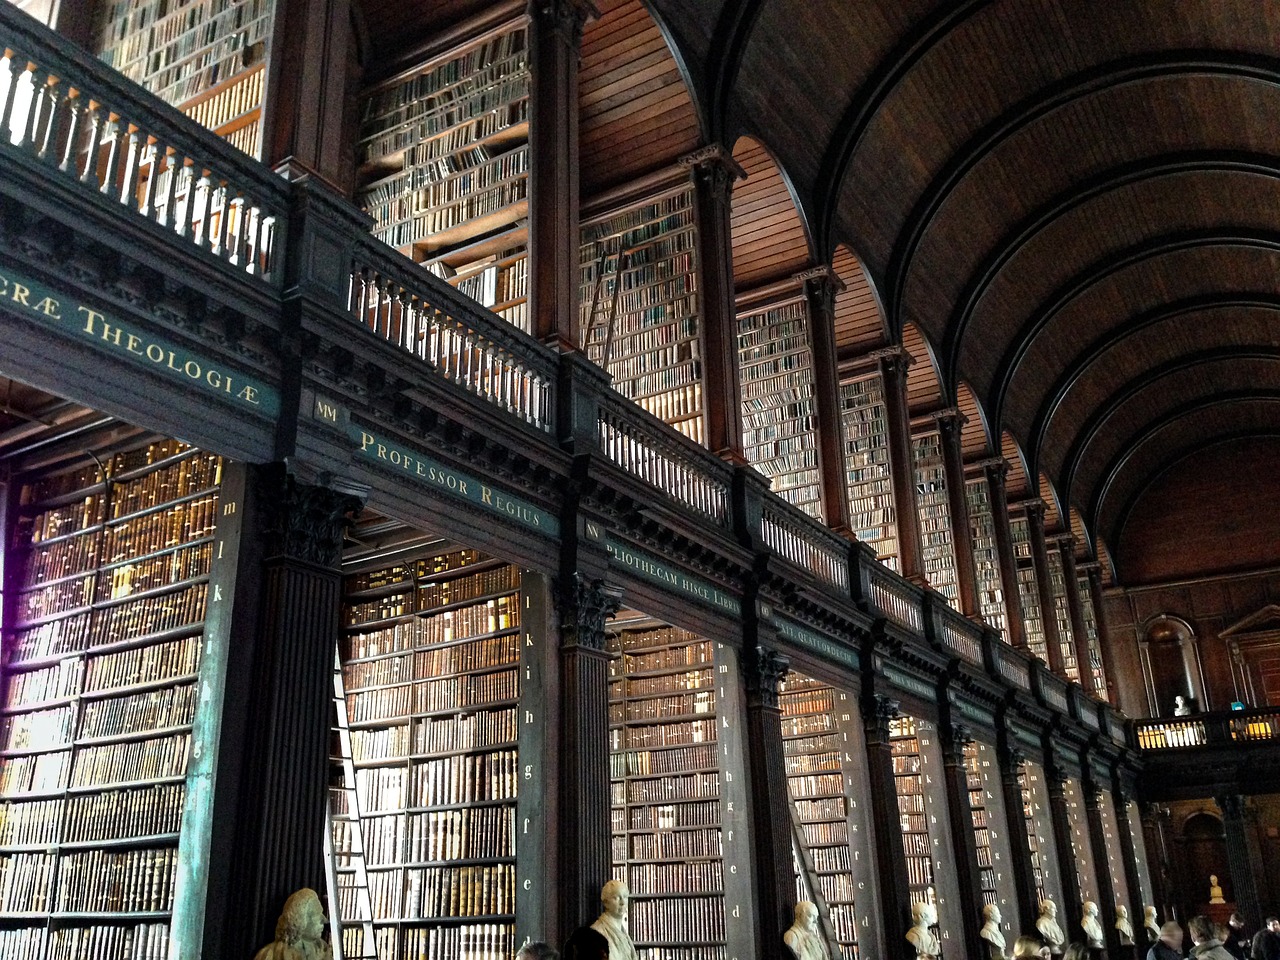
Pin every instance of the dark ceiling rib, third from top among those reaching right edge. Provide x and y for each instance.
(1100, 271)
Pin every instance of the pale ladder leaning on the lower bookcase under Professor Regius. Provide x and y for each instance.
(351, 912)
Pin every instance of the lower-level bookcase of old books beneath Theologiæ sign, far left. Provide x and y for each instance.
(106, 648)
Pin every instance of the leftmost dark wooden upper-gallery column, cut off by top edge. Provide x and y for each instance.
(308, 126)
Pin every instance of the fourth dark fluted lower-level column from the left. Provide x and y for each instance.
(890, 860)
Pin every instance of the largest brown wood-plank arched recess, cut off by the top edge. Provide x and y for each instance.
(636, 108)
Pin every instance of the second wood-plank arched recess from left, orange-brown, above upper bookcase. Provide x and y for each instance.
(770, 236)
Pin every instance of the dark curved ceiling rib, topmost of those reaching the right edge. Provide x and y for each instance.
(1046, 100)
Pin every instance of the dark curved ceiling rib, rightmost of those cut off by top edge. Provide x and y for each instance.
(868, 102)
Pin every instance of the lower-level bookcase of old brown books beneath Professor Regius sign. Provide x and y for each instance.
(431, 666)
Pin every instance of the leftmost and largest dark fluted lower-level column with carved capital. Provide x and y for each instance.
(273, 793)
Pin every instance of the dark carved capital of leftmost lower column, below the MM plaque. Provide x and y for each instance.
(304, 522)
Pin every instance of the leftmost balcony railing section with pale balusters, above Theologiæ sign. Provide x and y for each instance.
(94, 132)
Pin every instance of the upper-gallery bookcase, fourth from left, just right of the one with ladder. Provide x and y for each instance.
(780, 428)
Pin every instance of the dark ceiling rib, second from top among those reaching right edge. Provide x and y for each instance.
(1098, 186)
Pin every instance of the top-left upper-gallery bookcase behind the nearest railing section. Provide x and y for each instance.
(205, 57)
